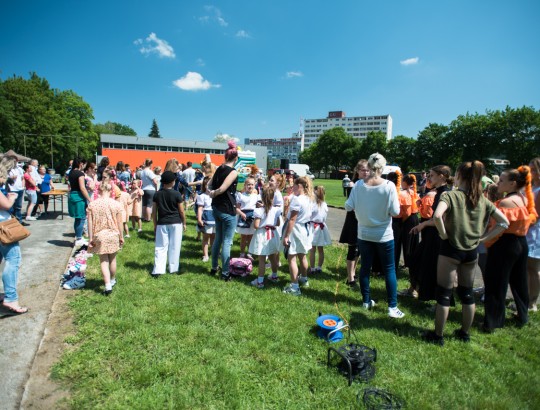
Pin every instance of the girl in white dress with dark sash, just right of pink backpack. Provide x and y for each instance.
(265, 241)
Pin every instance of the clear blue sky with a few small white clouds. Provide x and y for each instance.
(254, 68)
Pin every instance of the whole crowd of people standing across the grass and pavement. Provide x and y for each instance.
(444, 228)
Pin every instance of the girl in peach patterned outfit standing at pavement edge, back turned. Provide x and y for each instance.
(105, 232)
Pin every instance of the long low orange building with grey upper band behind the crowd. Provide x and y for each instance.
(134, 150)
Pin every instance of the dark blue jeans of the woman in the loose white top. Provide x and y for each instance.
(385, 251)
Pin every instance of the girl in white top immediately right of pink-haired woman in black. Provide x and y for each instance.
(246, 202)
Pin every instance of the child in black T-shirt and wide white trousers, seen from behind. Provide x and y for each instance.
(169, 223)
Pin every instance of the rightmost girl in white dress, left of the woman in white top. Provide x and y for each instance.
(321, 233)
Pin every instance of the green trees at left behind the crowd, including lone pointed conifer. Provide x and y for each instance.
(51, 125)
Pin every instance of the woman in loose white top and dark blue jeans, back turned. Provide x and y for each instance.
(375, 201)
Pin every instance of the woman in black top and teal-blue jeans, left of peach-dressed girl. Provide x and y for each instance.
(78, 197)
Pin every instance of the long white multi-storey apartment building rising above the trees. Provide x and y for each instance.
(358, 127)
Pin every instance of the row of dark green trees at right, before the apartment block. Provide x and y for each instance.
(512, 134)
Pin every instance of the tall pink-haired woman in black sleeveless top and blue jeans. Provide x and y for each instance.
(222, 191)
